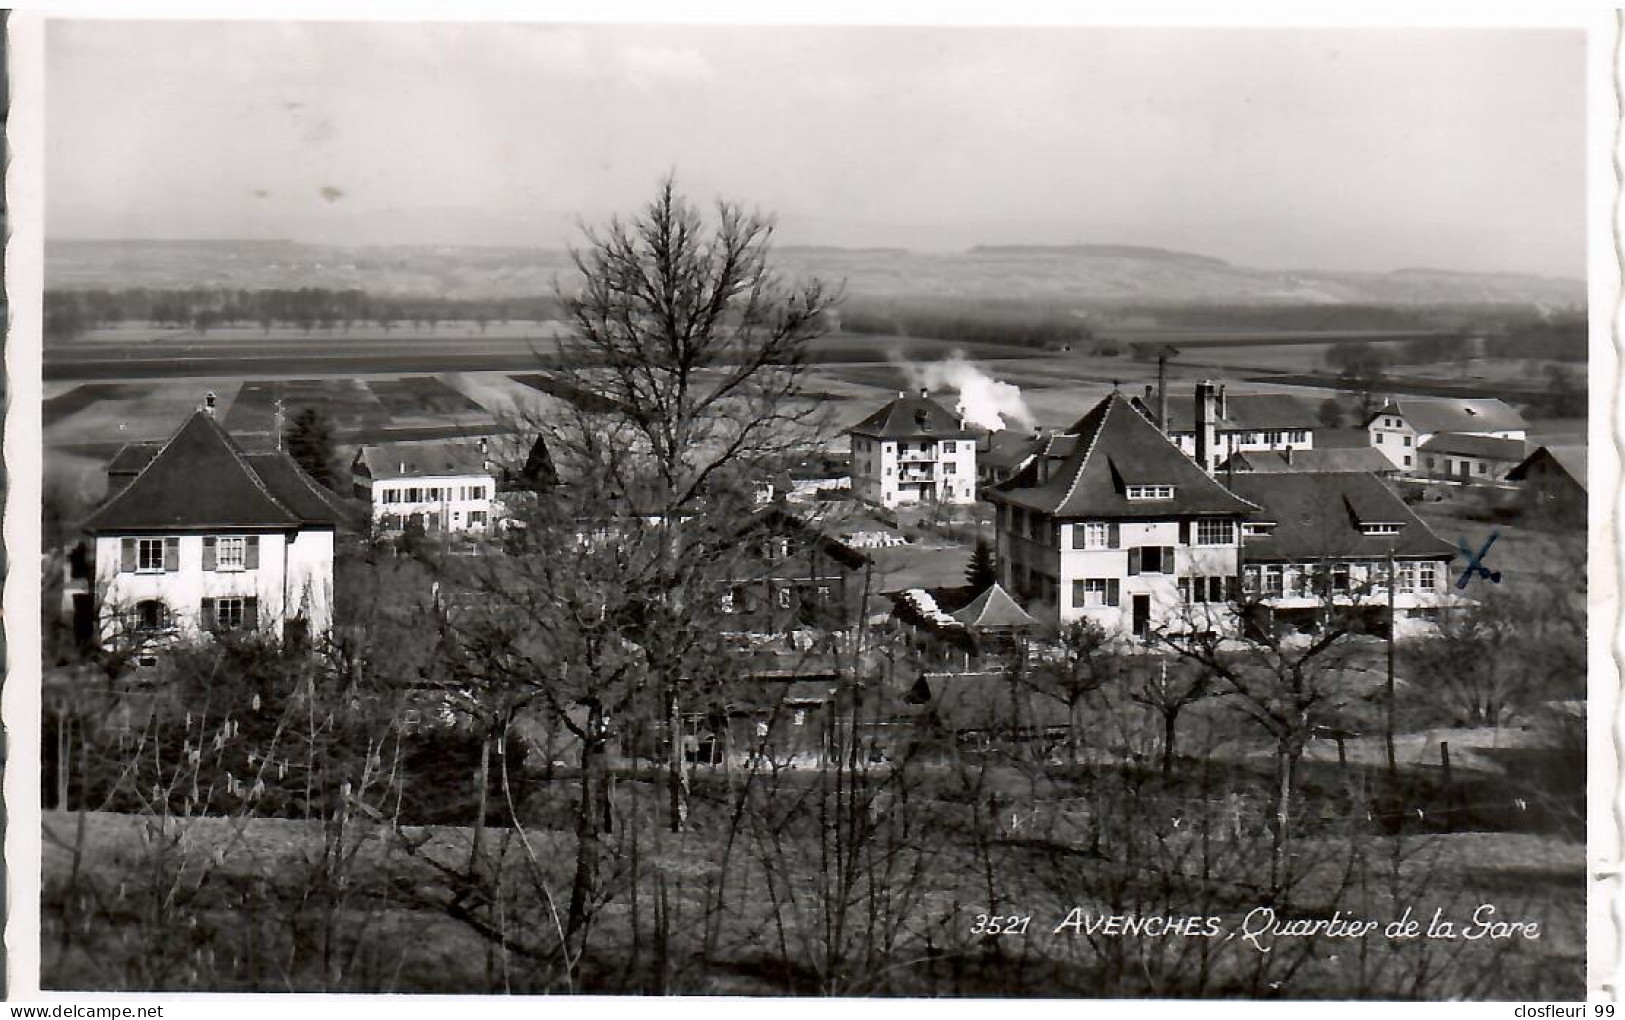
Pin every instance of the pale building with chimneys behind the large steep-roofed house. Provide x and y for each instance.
(1224, 425)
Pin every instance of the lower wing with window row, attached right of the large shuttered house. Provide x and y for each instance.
(1325, 540)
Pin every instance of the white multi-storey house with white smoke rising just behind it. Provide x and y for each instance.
(914, 452)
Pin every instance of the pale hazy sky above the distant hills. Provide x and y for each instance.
(1311, 149)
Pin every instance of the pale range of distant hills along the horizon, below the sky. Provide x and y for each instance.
(1083, 275)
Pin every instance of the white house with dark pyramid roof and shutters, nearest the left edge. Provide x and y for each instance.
(201, 535)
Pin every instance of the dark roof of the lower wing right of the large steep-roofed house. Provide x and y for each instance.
(1319, 516)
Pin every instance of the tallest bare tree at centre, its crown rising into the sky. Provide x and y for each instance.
(695, 344)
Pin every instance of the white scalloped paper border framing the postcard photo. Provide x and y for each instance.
(1606, 725)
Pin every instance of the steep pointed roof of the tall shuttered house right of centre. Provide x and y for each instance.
(1106, 451)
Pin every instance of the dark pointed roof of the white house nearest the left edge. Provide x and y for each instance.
(204, 480)
